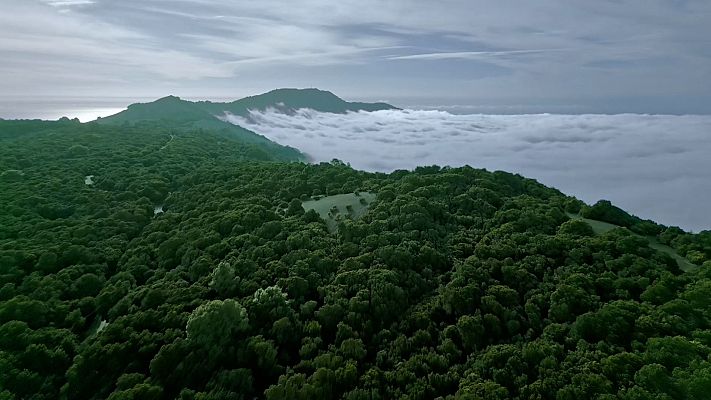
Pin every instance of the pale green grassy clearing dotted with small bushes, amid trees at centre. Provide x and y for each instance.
(340, 206)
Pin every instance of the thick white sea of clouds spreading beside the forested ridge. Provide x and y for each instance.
(655, 166)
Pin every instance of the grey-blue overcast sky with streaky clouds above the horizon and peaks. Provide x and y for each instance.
(544, 55)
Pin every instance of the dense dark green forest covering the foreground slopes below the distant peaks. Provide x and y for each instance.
(147, 262)
